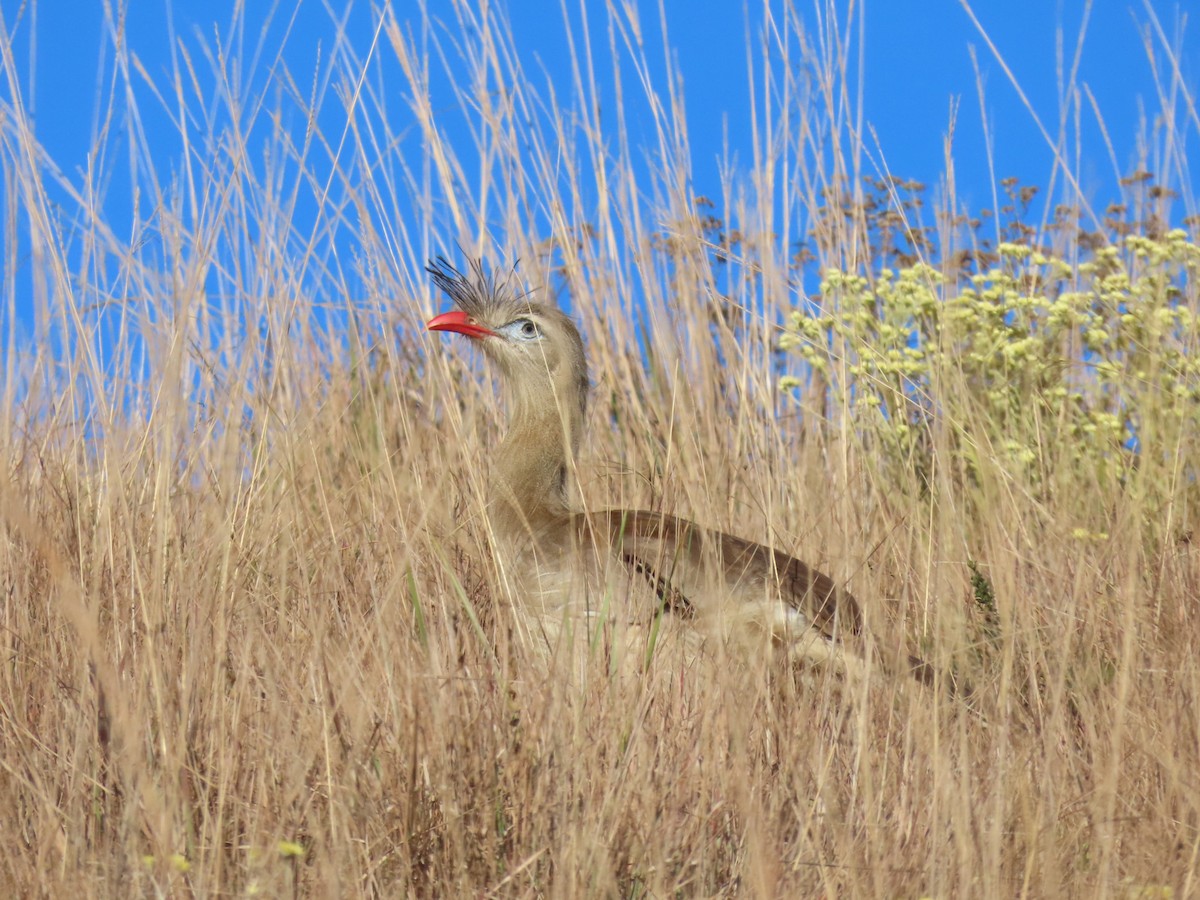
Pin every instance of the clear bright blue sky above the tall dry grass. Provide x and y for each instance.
(919, 63)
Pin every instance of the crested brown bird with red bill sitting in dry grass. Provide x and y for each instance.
(563, 562)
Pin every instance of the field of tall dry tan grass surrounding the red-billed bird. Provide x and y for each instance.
(251, 638)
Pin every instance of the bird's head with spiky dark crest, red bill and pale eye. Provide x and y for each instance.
(537, 347)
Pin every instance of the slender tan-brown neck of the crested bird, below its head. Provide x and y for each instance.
(535, 463)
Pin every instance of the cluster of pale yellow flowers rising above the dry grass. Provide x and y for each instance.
(1102, 351)
